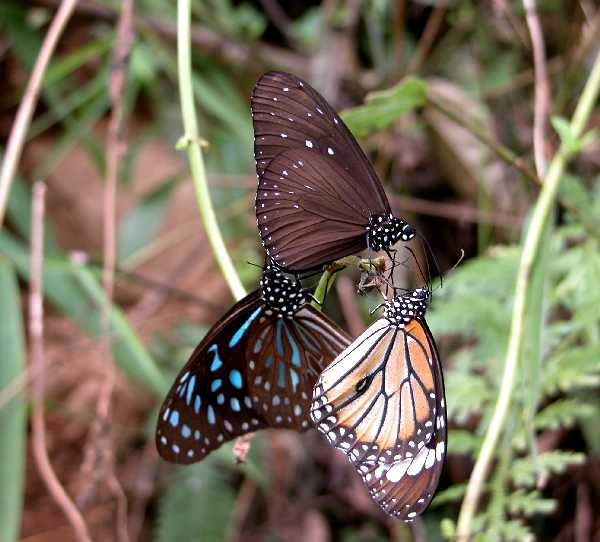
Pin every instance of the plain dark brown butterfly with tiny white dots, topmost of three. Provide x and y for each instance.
(318, 197)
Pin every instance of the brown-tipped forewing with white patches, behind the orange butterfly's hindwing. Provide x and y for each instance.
(404, 489)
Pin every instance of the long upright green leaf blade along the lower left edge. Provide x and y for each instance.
(13, 421)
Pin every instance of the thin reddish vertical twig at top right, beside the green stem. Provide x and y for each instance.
(542, 87)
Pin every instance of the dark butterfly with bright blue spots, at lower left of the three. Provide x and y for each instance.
(254, 369)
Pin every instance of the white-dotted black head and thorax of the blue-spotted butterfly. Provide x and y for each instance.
(282, 295)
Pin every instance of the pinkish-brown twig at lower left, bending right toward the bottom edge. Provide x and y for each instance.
(38, 362)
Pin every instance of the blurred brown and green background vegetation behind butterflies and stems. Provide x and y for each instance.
(435, 91)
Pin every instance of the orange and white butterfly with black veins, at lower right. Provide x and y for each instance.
(381, 402)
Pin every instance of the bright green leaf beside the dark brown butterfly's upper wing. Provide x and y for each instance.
(386, 107)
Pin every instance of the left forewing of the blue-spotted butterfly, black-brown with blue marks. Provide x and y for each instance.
(209, 402)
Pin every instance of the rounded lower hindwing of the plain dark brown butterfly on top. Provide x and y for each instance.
(309, 210)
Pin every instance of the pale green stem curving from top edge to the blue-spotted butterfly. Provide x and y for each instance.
(190, 125)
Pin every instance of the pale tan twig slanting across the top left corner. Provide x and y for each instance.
(16, 139)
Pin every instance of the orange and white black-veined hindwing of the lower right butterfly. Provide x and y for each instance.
(377, 401)
